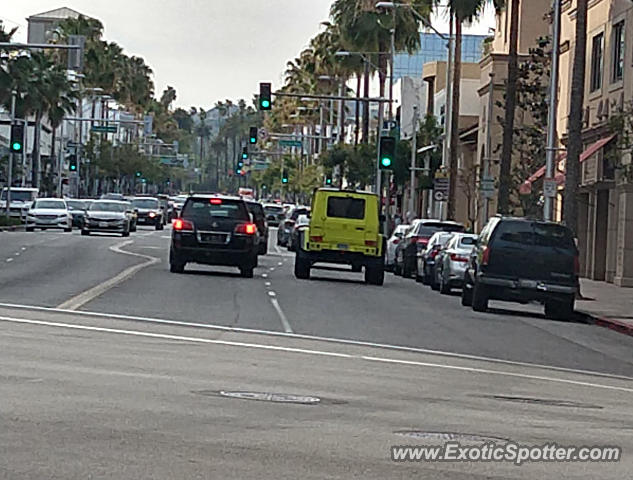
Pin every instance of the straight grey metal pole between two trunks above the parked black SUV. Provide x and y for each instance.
(550, 193)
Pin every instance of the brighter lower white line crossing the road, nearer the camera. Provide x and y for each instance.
(322, 353)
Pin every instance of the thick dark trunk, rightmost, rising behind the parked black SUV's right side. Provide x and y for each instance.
(574, 144)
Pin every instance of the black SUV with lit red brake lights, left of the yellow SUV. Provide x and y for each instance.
(214, 230)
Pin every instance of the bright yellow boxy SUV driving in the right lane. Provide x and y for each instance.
(345, 229)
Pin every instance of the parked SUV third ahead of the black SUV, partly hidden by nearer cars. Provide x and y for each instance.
(415, 242)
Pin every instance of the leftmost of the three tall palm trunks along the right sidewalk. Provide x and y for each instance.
(457, 78)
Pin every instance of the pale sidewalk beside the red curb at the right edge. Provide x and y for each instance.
(608, 306)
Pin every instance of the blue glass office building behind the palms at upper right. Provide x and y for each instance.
(433, 49)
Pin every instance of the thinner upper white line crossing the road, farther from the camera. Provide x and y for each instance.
(340, 341)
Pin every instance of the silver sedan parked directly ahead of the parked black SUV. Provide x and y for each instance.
(451, 262)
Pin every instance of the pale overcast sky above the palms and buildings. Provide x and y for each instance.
(208, 50)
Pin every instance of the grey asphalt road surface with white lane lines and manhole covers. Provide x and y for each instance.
(112, 367)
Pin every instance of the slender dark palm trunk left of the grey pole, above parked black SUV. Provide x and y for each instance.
(503, 203)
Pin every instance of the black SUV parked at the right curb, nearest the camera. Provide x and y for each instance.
(522, 260)
